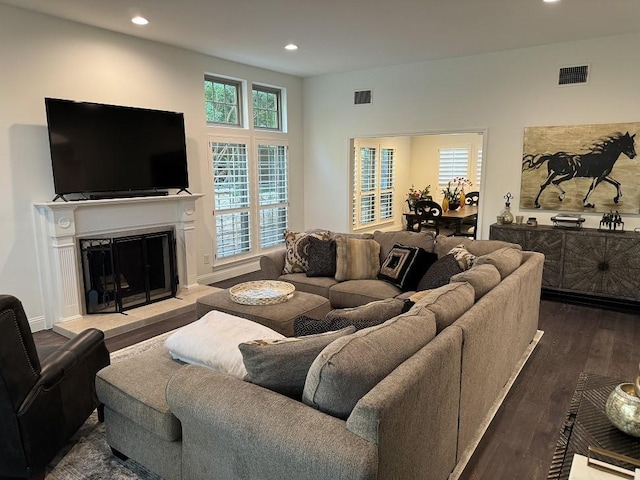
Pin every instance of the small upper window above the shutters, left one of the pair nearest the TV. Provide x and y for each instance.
(222, 99)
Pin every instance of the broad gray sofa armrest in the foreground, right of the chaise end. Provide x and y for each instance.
(240, 430)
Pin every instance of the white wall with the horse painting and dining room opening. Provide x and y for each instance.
(501, 93)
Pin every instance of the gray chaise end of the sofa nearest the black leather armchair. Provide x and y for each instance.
(138, 421)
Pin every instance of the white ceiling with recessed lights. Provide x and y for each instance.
(342, 35)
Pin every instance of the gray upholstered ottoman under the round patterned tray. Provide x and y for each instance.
(278, 317)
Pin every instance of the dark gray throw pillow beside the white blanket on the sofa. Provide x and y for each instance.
(281, 365)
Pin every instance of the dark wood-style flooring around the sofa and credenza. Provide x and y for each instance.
(521, 439)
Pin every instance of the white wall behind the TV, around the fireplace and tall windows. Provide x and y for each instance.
(47, 57)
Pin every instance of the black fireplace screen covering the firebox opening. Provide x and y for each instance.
(126, 272)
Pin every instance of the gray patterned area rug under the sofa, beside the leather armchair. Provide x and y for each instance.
(87, 455)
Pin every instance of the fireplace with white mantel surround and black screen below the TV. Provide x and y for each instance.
(161, 221)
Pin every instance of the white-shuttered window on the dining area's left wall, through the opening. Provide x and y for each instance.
(373, 185)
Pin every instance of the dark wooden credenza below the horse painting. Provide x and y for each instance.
(584, 265)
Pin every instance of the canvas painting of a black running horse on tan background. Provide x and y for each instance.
(581, 168)
